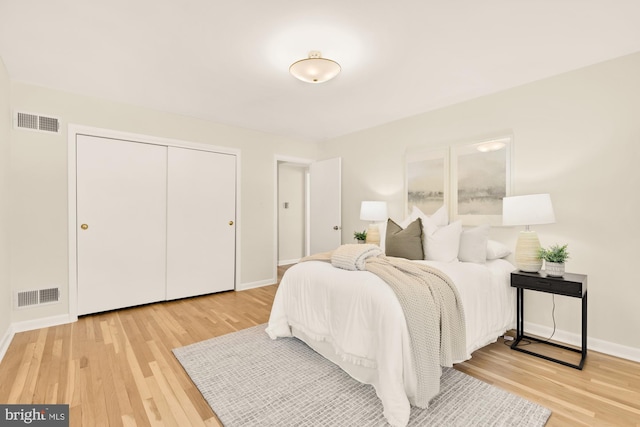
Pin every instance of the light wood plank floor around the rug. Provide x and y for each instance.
(117, 368)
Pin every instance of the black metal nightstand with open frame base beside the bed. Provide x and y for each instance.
(572, 285)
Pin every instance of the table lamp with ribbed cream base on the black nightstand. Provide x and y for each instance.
(527, 210)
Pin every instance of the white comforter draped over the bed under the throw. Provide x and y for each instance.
(354, 319)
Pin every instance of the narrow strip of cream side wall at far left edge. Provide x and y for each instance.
(5, 285)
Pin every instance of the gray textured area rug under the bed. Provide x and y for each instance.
(251, 380)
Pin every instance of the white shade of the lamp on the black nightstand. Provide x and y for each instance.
(527, 210)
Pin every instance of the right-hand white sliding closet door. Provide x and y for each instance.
(201, 214)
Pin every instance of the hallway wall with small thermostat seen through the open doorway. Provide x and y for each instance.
(291, 220)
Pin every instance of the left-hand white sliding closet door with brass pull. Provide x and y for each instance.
(121, 220)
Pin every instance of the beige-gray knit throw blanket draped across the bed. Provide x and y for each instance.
(431, 304)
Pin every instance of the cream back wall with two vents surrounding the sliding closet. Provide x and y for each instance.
(38, 218)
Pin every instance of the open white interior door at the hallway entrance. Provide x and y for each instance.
(325, 217)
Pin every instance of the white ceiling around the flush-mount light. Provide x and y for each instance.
(227, 61)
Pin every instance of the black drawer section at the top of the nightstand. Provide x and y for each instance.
(573, 285)
